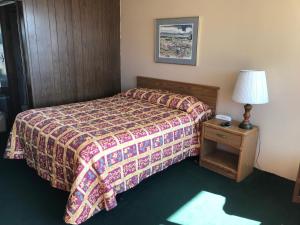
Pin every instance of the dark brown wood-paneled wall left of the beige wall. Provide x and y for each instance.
(73, 49)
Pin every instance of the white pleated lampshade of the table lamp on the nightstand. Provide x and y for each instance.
(251, 87)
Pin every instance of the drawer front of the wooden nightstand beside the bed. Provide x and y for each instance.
(223, 137)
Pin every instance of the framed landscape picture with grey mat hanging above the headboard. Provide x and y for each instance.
(176, 40)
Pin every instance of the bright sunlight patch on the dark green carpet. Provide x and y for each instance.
(207, 209)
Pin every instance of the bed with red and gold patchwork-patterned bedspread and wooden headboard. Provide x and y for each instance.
(100, 148)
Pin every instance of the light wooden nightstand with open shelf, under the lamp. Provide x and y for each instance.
(229, 151)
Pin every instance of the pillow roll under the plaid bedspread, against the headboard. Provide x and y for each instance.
(190, 104)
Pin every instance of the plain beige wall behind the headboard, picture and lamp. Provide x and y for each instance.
(234, 35)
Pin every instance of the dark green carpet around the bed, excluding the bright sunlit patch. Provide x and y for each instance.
(27, 199)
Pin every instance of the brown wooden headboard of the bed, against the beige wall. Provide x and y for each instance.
(205, 93)
